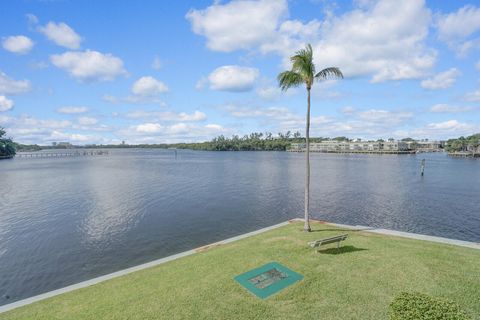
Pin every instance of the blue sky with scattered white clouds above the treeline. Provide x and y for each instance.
(171, 71)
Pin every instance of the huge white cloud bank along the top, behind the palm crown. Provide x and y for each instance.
(383, 40)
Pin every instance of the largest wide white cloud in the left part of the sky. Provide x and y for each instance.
(89, 65)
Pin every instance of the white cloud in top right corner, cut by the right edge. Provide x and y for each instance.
(460, 24)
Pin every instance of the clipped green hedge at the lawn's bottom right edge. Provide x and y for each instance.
(419, 306)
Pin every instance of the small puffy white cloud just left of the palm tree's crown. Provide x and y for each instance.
(233, 78)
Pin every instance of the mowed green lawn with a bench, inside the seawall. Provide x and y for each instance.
(357, 282)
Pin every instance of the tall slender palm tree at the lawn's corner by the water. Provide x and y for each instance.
(303, 72)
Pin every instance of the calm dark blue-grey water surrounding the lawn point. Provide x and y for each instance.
(70, 219)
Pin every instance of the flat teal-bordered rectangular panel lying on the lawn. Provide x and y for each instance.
(268, 279)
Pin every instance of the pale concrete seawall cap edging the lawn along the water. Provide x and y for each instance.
(90, 282)
